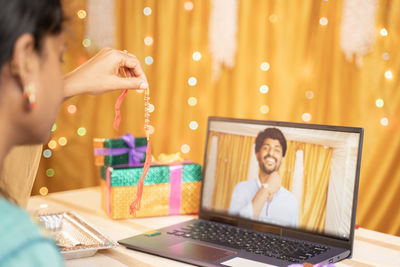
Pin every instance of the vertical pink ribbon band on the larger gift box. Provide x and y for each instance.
(175, 189)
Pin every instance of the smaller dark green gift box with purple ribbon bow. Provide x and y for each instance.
(119, 151)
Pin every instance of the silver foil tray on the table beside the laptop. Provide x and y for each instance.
(74, 236)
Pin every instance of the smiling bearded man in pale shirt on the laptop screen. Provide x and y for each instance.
(264, 198)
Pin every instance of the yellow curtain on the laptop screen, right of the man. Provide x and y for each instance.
(317, 163)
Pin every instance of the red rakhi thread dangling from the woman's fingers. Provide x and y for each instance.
(135, 205)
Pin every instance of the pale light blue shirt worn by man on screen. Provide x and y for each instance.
(282, 210)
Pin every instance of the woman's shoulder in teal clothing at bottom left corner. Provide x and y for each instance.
(21, 240)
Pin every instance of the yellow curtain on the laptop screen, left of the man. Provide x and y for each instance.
(234, 152)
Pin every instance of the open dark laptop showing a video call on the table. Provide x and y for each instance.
(273, 193)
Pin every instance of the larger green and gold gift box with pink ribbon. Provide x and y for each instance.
(168, 190)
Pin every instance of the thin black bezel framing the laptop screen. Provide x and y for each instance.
(281, 230)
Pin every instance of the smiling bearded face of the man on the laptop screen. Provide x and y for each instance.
(270, 156)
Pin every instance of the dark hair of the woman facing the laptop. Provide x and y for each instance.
(37, 17)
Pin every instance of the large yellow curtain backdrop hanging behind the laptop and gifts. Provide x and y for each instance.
(303, 56)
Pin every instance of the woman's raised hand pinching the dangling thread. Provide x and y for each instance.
(101, 74)
